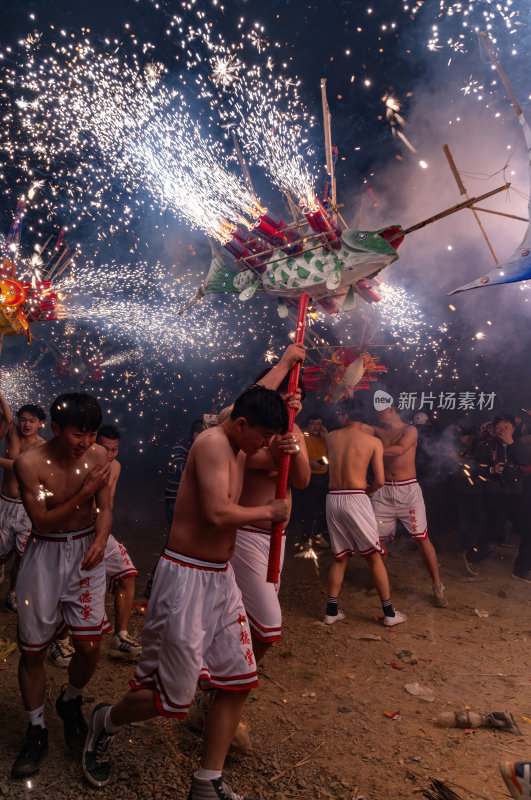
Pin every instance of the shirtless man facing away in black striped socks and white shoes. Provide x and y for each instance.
(349, 515)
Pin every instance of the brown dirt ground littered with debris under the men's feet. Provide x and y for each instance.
(318, 721)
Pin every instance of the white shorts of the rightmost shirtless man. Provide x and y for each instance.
(400, 500)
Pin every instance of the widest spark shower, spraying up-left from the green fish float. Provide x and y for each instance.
(102, 129)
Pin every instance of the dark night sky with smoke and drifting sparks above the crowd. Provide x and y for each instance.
(154, 385)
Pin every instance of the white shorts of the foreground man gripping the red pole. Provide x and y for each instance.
(196, 630)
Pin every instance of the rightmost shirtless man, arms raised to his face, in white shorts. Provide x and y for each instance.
(401, 497)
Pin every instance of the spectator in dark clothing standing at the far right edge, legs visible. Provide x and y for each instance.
(501, 464)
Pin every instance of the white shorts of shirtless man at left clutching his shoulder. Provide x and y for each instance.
(50, 574)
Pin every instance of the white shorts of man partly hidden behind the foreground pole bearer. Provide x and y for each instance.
(260, 598)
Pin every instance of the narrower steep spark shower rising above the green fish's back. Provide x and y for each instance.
(272, 122)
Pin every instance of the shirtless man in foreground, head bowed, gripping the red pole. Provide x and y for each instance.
(196, 626)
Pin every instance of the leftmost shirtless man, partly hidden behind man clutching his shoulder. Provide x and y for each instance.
(15, 525)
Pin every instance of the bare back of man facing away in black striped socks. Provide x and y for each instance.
(350, 451)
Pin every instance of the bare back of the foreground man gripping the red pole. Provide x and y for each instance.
(213, 470)
